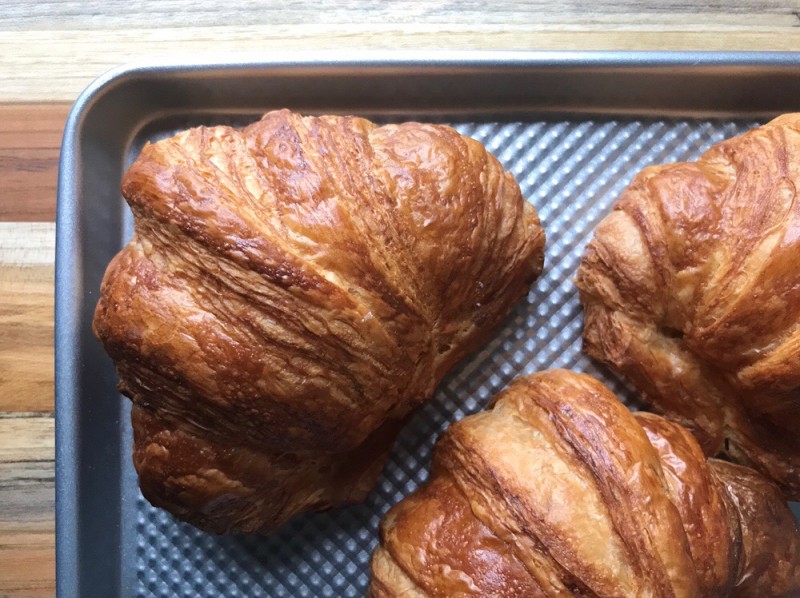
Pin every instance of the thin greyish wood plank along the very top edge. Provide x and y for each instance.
(121, 14)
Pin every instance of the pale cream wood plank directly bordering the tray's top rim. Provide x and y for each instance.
(55, 65)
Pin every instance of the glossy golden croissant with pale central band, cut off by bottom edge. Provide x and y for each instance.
(558, 490)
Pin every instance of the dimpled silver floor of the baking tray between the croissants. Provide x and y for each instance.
(572, 171)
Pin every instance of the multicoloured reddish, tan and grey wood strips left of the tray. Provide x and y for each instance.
(30, 136)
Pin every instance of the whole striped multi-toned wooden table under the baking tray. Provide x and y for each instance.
(49, 52)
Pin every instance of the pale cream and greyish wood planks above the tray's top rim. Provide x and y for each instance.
(52, 50)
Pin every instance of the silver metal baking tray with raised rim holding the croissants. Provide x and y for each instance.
(572, 127)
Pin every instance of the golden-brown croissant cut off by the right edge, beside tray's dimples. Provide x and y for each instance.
(691, 290)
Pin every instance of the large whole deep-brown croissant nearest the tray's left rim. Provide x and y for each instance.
(292, 291)
